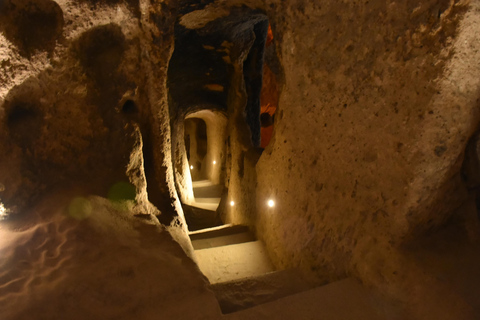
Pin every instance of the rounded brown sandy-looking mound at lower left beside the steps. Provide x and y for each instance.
(103, 264)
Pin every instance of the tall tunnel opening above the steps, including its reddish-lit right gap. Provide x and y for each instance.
(226, 65)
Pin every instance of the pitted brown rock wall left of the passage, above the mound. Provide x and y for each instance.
(80, 80)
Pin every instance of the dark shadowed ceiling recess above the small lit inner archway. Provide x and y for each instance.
(200, 69)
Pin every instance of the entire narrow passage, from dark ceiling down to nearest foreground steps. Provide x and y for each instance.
(224, 86)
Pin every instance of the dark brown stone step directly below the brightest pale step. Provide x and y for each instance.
(246, 293)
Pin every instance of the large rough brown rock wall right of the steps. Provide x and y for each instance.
(379, 101)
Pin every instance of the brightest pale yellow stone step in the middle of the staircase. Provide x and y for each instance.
(233, 262)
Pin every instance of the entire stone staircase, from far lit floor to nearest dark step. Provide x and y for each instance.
(246, 283)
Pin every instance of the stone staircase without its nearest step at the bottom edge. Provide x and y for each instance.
(234, 261)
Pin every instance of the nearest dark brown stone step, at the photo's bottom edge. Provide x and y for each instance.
(341, 300)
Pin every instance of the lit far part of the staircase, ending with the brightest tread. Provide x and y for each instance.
(225, 252)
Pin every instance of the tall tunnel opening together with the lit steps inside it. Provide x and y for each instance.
(223, 114)
